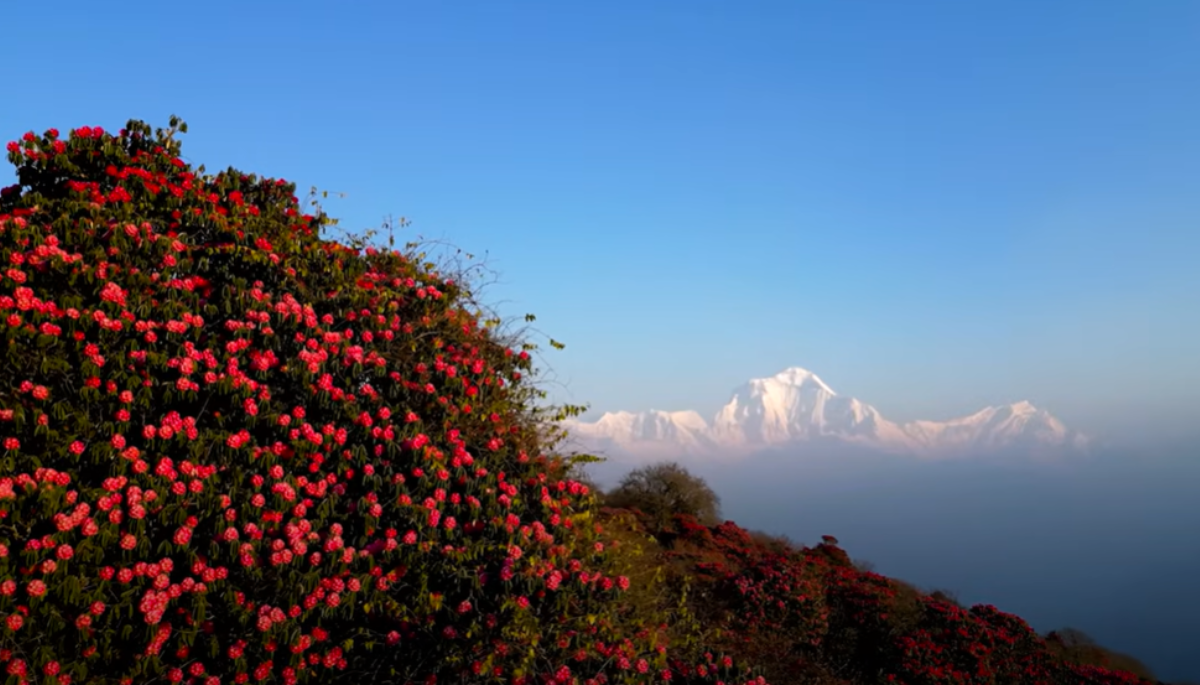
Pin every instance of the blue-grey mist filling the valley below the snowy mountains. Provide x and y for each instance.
(1109, 544)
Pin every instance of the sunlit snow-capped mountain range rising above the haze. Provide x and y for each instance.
(796, 406)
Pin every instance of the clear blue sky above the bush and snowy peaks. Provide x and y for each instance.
(934, 206)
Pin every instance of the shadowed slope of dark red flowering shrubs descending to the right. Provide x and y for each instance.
(808, 616)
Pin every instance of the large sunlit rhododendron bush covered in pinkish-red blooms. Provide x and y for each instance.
(235, 452)
